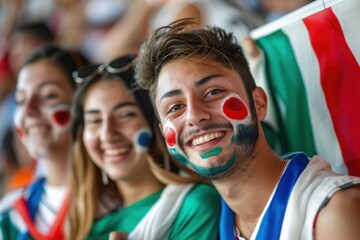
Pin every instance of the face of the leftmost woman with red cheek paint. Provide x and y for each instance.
(42, 116)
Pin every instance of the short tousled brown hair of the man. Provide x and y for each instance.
(181, 40)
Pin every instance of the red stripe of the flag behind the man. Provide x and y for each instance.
(340, 76)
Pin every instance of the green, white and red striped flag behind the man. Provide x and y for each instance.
(312, 77)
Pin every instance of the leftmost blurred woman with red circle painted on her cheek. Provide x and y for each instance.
(43, 122)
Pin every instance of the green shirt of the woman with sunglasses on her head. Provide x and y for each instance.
(197, 219)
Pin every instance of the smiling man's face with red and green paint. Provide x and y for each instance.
(205, 116)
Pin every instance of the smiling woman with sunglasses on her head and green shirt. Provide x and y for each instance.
(120, 179)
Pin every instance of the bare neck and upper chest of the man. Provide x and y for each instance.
(248, 192)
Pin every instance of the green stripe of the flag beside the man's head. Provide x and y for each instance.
(288, 93)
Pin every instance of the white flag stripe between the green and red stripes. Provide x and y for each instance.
(326, 142)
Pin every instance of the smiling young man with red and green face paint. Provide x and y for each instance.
(210, 111)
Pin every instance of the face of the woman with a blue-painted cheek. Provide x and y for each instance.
(116, 134)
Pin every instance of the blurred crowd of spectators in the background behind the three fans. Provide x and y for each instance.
(101, 30)
